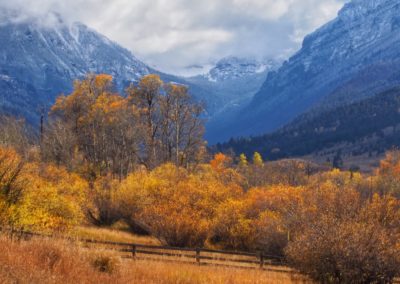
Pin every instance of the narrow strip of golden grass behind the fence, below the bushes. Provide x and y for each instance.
(111, 235)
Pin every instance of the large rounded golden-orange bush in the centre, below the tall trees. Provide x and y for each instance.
(176, 205)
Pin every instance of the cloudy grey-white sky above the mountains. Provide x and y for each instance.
(174, 34)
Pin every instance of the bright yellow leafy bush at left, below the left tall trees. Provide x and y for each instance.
(53, 199)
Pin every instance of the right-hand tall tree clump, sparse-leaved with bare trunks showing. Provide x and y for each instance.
(170, 120)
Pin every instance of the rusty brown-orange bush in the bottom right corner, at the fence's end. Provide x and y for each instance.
(347, 241)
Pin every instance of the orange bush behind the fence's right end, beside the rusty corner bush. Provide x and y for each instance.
(262, 217)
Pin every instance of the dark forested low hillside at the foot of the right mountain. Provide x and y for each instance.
(369, 126)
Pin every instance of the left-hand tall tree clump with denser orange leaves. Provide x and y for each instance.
(96, 122)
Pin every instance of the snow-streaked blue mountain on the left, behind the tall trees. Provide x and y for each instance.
(38, 61)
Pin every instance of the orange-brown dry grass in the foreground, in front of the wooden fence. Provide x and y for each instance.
(49, 261)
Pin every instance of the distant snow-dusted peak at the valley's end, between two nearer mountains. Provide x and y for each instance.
(232, 82)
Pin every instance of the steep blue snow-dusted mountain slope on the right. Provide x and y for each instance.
(350, 58)
